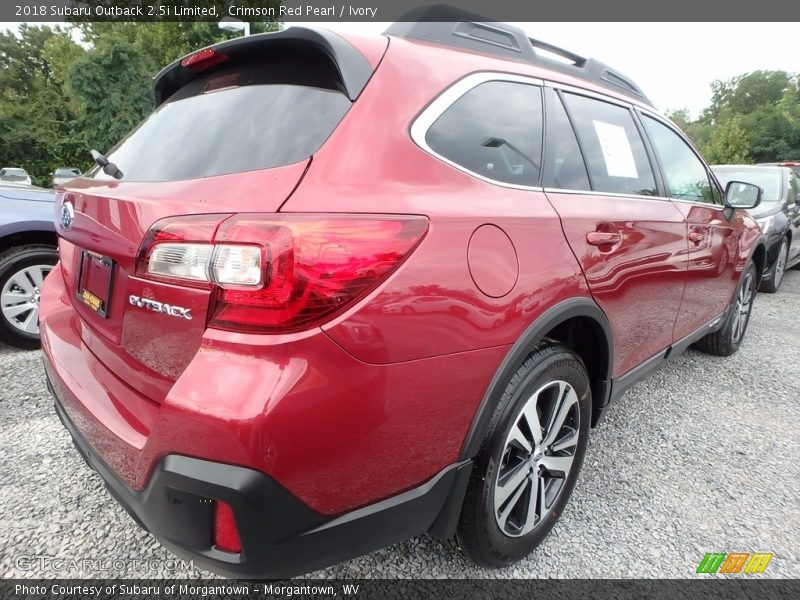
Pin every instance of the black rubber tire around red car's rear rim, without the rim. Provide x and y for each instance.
(562, 365)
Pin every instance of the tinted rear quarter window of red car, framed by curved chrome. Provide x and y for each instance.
(494, 130)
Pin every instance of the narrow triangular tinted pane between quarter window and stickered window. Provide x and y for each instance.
(565, 168)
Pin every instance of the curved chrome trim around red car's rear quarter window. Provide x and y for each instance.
(428, 116)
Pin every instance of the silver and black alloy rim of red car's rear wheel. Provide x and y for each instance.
(537, 458)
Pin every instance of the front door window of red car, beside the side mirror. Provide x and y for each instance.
(684, 173)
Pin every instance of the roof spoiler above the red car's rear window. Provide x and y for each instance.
(353, 68)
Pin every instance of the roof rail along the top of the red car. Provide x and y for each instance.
(462, 29)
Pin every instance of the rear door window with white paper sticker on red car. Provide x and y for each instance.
(612, 147)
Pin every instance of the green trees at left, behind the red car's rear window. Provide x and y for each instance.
(59, 97)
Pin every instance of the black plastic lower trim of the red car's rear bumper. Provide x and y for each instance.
(281, 536)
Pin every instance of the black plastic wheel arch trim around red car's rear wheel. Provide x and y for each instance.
(536, 332)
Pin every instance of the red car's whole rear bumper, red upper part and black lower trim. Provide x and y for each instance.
(322, 457)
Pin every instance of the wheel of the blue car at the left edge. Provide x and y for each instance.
(22, 270)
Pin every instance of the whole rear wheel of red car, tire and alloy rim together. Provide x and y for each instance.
(496, 538)
